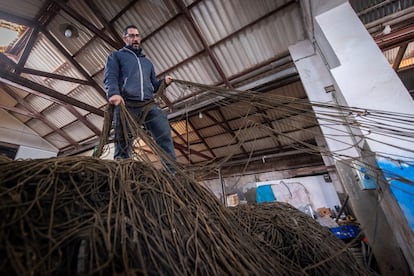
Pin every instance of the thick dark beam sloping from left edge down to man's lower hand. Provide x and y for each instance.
(16, 80)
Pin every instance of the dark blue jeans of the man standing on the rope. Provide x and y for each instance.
(156, 122)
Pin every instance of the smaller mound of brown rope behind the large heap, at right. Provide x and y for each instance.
(299, 237)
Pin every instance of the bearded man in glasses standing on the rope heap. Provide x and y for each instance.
(130, 79)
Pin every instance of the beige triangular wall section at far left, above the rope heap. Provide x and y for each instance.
(13, 131)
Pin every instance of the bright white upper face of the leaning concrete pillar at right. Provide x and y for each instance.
(365, 79)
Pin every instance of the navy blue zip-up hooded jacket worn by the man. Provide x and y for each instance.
(130, 74)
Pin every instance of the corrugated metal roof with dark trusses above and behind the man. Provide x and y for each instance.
(239, 42)
